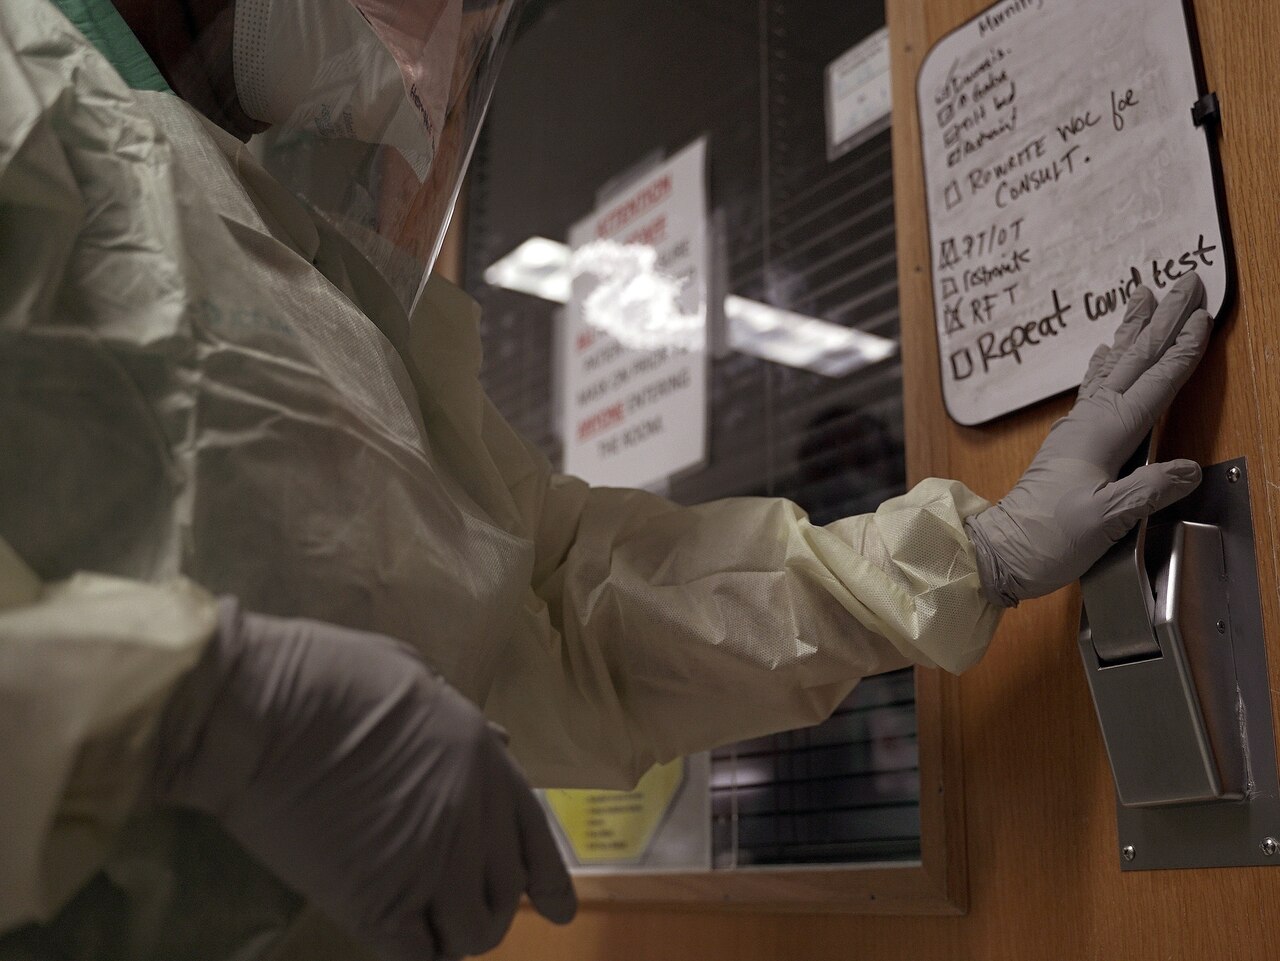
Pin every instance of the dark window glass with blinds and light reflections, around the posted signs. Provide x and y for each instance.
(806, 396)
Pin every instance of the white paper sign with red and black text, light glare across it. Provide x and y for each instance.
(634, 415)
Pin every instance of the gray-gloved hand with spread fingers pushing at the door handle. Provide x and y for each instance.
(1069, 507)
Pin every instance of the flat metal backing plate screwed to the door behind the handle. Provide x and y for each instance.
(1223, 832)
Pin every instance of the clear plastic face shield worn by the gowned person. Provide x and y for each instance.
(376, 107)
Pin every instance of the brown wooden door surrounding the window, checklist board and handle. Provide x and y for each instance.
(1039, 803)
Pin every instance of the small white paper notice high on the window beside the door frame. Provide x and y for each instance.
(858, 94)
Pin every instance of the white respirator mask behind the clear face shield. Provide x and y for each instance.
(319, 67)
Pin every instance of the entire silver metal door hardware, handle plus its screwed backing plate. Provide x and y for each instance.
(1173, 648)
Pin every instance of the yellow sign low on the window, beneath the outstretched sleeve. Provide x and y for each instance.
(607, 827)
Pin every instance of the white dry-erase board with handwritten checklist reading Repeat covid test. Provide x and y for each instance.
(1063, 168)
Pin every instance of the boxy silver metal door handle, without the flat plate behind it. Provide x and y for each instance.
(1168, 706)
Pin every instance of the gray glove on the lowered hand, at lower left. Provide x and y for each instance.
(364, 782)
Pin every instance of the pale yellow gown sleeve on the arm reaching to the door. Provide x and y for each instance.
(668, 630)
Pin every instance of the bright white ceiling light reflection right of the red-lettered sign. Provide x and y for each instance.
(799, 341)
